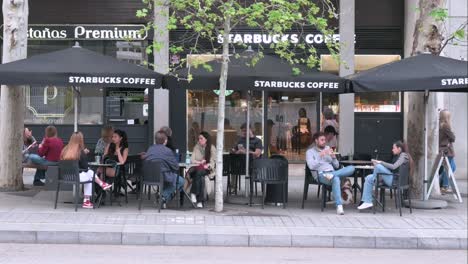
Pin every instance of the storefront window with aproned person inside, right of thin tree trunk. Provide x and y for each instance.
(292, 120)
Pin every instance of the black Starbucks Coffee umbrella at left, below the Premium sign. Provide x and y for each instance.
(77, 66)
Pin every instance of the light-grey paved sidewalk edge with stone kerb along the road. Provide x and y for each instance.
(367, 231)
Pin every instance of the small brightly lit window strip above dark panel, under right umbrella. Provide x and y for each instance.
(377, 102)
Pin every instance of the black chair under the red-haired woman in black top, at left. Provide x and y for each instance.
(69, 174)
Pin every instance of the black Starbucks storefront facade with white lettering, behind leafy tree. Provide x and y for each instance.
(275, 115)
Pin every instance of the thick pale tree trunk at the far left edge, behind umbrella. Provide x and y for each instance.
(15, 26)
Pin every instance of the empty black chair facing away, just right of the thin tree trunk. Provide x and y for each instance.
(268, 171)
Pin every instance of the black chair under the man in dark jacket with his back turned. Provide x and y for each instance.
(151, 176)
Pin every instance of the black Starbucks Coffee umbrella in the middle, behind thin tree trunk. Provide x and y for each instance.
(270, 73)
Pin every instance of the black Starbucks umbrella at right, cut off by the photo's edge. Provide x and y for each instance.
(424, 72)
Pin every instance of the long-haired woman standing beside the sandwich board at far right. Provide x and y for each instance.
(446, 140)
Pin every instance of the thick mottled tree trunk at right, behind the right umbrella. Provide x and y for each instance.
(427, 37)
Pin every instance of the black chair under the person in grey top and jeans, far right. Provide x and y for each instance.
(400, 185)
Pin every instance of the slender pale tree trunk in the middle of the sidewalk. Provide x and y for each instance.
(221, 105)
